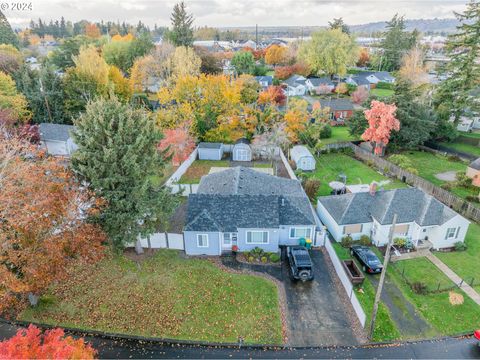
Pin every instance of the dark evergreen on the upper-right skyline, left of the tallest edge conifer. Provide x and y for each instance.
(396, 43)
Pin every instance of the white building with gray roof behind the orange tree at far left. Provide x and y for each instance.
(56, 139)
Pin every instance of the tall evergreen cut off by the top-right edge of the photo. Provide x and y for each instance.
(455, 96)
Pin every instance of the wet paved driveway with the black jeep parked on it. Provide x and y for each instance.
(316, 315)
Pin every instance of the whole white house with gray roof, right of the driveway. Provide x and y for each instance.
(420, 217)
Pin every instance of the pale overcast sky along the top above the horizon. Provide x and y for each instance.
(223, 13)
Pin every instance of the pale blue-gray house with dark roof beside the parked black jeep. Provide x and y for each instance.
(243, 207)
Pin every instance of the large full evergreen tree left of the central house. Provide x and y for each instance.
(117, 155)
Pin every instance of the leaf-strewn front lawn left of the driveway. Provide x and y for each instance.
(164, 296)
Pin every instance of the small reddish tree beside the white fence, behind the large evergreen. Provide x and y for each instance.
(178, 143)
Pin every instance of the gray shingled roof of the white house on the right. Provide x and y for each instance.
(410, 204)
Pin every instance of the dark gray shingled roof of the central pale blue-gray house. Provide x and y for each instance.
(244, 198)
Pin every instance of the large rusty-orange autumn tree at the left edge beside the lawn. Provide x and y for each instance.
(44, 226)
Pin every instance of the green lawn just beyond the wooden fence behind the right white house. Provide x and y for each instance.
(428, 165)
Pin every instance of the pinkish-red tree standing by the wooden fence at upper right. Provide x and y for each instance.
(381, 122)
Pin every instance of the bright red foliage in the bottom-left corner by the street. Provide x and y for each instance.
(53, 344)
